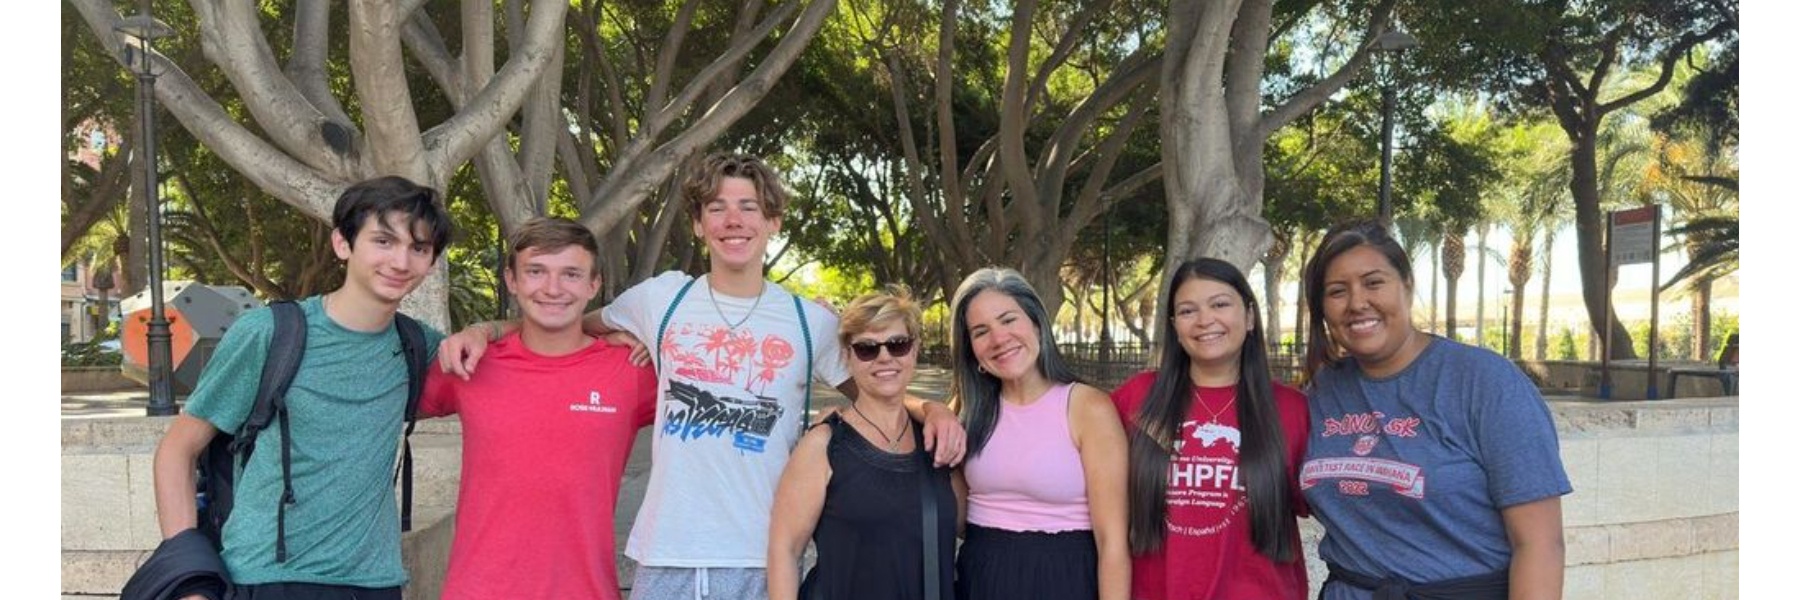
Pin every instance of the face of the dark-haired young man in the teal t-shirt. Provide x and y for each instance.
(388, 259)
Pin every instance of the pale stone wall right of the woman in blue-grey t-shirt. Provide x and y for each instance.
(1655, 505)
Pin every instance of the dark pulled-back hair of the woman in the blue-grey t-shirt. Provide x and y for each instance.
(1320, 349)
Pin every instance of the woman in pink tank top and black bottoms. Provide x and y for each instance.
(1047, 457)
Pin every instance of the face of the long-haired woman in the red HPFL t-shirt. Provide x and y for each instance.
(1212, 322)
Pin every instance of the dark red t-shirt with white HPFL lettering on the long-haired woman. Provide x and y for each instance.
(1209, 552)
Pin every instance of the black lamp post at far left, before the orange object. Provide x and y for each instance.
(139, 32)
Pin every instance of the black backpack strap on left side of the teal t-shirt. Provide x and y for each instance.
(287, 347)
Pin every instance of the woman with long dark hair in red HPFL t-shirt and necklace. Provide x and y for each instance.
(1214, 451)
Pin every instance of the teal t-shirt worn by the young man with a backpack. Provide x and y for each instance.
(346, 408)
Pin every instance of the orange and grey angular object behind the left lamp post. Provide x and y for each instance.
(199, 316)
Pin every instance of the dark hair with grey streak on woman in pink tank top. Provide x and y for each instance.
(976, 394)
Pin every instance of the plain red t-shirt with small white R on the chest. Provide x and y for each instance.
(544, 446)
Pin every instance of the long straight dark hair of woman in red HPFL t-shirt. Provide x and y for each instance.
(1263, 451)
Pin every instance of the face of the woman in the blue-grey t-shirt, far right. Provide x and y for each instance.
(1369, 309)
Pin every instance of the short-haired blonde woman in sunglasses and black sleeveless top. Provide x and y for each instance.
(861, 486)
